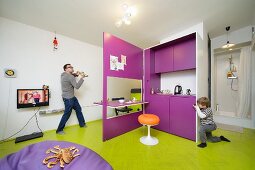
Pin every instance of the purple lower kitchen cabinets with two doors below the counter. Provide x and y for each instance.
(176, 113)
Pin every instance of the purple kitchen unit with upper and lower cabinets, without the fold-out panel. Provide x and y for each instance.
(176, 113)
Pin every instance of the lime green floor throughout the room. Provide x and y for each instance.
(125, 152)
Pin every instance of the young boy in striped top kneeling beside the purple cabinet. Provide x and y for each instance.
(207, 125)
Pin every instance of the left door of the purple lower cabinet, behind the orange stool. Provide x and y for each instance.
(159, 105)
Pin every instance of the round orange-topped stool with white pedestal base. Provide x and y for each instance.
(149, 120)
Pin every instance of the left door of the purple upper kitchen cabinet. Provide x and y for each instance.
(164, 60)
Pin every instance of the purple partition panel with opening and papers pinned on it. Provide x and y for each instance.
(134, 70)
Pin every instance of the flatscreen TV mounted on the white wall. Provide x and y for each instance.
(32, 98)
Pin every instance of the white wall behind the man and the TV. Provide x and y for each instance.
(29, 50)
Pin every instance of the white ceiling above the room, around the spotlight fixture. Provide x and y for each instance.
(86, 20)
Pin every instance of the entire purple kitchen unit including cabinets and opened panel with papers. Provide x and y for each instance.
(176, 113)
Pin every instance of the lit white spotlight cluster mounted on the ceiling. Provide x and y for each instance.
(128, 12)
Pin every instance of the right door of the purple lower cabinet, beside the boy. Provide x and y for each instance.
(183, 116)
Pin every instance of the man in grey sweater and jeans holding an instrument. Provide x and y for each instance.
(68, 83)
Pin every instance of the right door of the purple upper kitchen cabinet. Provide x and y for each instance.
(185, 55)
